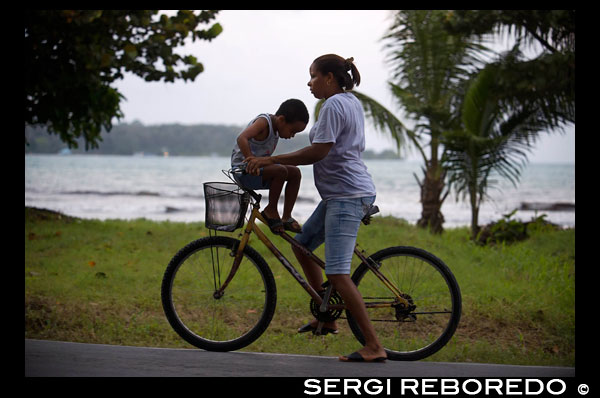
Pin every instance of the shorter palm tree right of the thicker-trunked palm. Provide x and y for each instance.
(493, 139)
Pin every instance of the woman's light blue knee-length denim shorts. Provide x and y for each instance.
(335, 222)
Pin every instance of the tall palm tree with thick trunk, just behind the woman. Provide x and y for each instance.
(430, 67)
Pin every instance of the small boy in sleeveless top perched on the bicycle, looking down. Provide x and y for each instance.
(259, 139)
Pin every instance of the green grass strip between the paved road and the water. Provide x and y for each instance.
(99, 282)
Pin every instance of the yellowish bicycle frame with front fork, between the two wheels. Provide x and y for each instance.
(252, 227)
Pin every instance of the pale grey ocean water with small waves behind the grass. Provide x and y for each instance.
(170, 188)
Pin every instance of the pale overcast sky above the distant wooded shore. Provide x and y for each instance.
(262, 58)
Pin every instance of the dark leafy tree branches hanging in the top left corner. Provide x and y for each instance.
(73, 56)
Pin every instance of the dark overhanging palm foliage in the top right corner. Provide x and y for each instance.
(546, 82)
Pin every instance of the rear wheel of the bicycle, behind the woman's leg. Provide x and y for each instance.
(428, 285)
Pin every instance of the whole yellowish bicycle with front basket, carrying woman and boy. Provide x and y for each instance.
(219, 294)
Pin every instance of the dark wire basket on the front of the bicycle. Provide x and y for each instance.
(226, 206)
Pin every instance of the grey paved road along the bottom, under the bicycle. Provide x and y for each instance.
(55, 358)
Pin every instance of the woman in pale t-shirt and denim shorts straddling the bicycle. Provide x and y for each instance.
(345, 186)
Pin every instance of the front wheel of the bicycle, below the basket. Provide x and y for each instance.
(218, 322)
